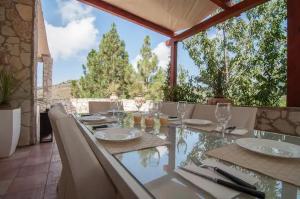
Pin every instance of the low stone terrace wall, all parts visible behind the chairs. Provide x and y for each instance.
(281, 120)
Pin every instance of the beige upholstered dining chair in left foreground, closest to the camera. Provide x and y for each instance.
(88, 178)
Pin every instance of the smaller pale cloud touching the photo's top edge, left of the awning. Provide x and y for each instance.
(71, 10)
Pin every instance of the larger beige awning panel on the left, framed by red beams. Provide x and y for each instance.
(172, 14)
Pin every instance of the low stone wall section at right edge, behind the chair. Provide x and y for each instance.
(282, 120)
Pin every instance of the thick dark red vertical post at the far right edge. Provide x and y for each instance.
(293, 52)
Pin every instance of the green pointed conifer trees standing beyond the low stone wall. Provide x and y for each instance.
(108, 70)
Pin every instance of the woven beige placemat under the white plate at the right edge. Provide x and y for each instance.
(284, 169)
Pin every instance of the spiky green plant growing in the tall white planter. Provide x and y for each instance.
(7, 86)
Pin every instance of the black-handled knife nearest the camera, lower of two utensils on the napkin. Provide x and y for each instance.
(230, 185)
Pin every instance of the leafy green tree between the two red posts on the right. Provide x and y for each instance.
(246, 60)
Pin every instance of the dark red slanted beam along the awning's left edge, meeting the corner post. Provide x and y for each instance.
(102, 5)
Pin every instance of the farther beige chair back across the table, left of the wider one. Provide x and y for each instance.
(170, 108)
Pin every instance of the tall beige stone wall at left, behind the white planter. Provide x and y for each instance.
(17, 48)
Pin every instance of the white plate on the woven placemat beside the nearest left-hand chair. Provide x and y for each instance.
(118, 134)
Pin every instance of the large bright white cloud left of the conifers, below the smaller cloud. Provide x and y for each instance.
(69, 40)
